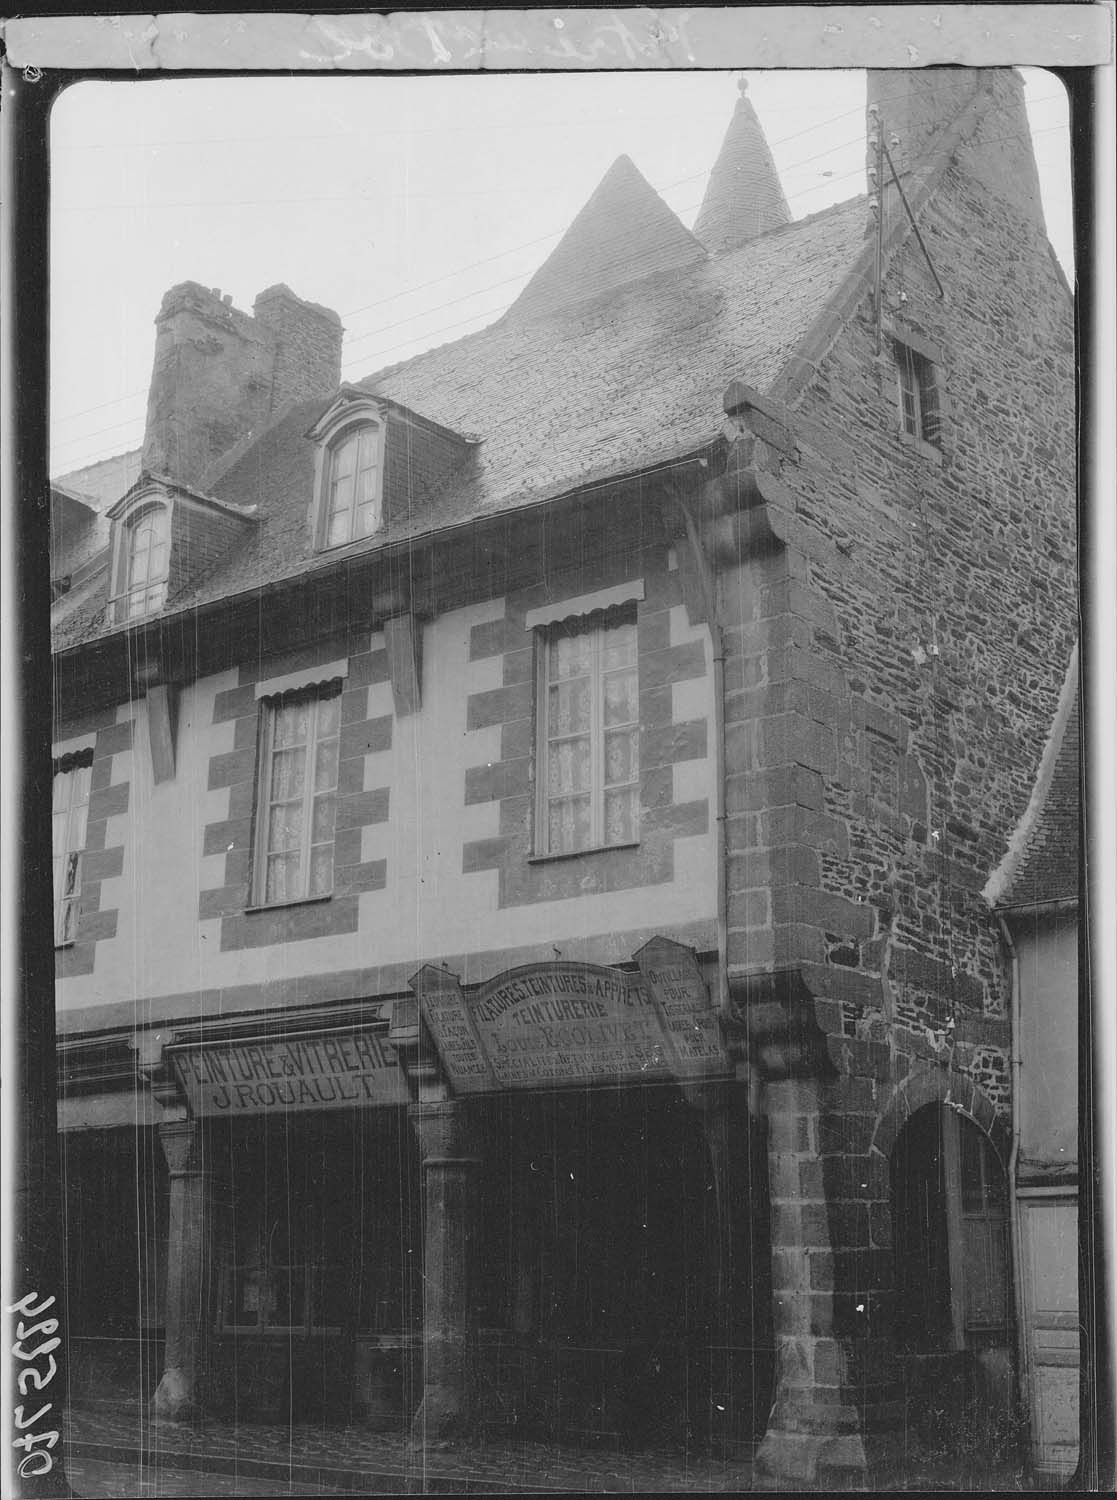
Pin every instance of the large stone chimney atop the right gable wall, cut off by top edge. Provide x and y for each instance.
(918, 106)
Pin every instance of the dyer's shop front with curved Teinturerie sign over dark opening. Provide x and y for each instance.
(608, 1177)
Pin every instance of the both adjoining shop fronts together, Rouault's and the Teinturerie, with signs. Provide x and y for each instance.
(532, 1207)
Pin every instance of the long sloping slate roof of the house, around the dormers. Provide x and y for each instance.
(560, 400)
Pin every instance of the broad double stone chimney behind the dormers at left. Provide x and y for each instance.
(221, 376)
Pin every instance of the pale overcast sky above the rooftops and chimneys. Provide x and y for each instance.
(416, 208)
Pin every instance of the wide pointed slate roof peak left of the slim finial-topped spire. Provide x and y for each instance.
(624, 233)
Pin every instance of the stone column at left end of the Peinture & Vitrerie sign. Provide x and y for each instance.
(176, 1397)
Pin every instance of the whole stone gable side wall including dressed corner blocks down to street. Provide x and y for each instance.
(897, 638)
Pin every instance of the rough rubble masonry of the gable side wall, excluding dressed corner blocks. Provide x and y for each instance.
(953, 596)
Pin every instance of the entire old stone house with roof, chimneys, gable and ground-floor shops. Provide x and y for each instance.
(523, 820)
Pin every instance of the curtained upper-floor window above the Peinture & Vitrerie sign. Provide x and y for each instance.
(298, 796)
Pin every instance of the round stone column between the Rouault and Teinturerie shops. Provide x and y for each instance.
(451, 1207)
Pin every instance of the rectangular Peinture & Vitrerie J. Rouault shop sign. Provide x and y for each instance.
(335, 1072)
